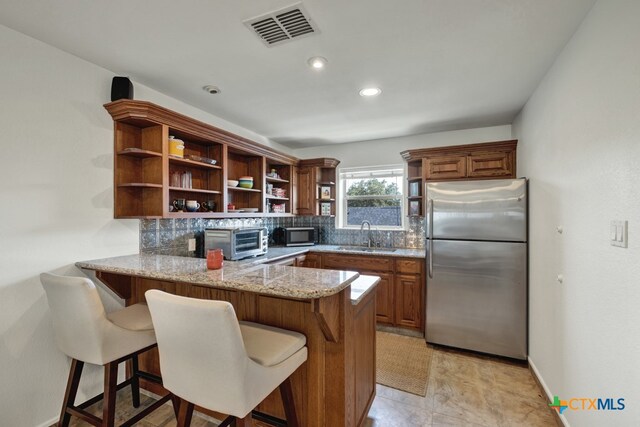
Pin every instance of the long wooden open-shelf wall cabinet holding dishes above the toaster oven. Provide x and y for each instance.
(150, 180)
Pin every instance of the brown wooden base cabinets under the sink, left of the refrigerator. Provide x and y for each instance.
(400, 292)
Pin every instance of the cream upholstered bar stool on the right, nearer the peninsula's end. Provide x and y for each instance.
(209, 359)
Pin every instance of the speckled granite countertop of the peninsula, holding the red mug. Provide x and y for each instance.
(256, 276)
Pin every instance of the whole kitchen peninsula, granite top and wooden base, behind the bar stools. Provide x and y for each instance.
(336, 386)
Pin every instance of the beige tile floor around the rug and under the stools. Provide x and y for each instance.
(464, 389)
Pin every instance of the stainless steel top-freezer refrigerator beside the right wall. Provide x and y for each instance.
(477, 265)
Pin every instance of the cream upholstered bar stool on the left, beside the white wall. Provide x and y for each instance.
(87, 334)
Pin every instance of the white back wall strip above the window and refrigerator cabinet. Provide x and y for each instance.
(387, 151)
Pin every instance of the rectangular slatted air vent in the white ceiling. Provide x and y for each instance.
(282, 25)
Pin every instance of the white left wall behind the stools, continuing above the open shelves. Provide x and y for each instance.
(56, 174)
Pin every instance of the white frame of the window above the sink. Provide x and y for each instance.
(341, 211)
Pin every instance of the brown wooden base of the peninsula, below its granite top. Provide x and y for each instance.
(335, 386)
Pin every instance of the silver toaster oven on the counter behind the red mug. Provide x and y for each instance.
(237, 243)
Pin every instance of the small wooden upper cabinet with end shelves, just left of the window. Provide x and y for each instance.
(316, 187)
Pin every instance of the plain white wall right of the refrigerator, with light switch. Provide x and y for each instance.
(580, 146)
